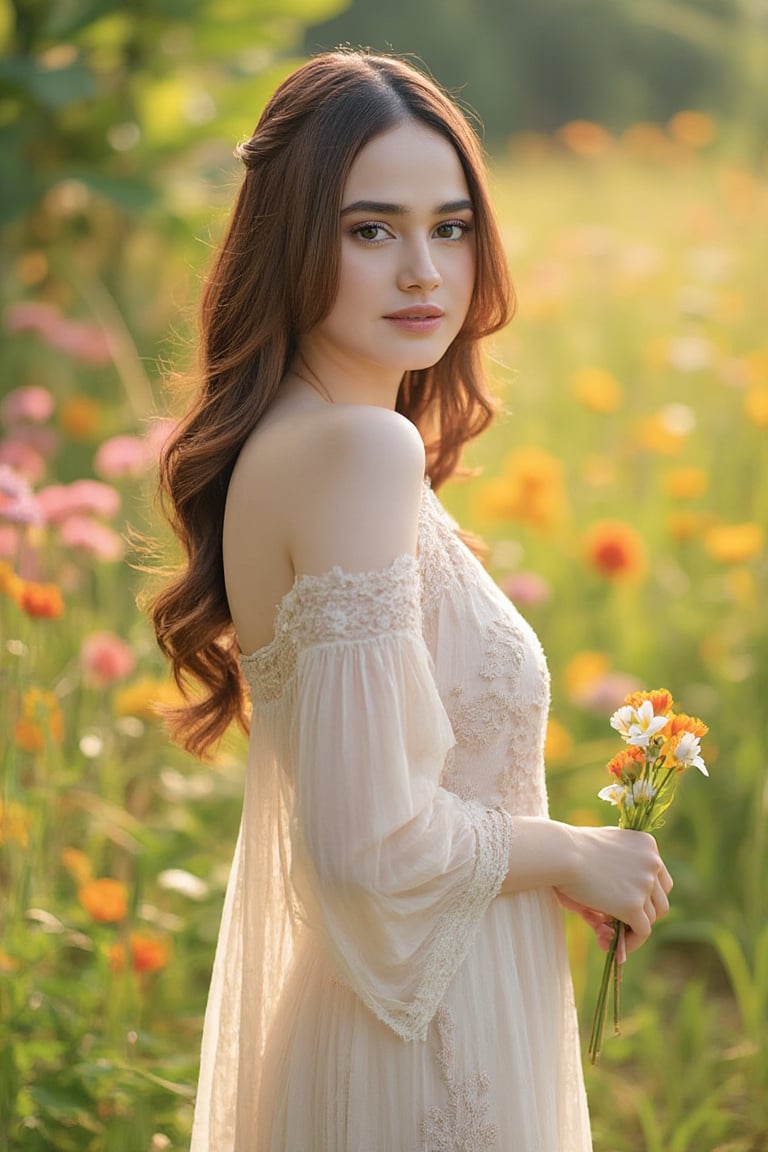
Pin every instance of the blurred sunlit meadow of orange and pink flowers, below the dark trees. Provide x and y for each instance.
(623, 495)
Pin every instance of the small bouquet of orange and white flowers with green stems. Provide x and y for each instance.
(660, 746)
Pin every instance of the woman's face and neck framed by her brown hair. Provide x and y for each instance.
(407, 270)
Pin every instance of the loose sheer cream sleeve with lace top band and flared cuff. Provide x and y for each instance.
(394, 870)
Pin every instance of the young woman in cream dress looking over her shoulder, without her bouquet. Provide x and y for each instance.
(391, 973)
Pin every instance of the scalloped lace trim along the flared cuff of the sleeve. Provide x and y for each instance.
(493, 828)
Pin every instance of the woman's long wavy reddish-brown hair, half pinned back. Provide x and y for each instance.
(273, 279)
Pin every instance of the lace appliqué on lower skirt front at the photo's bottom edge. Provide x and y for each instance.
(463, 1125)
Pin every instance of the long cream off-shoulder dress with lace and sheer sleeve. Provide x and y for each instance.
(371, 990)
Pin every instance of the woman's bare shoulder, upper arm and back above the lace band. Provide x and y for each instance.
(316, 488)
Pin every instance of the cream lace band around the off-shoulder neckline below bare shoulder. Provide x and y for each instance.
(336, 607)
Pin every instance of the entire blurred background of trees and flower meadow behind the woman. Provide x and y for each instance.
(623, 495)
